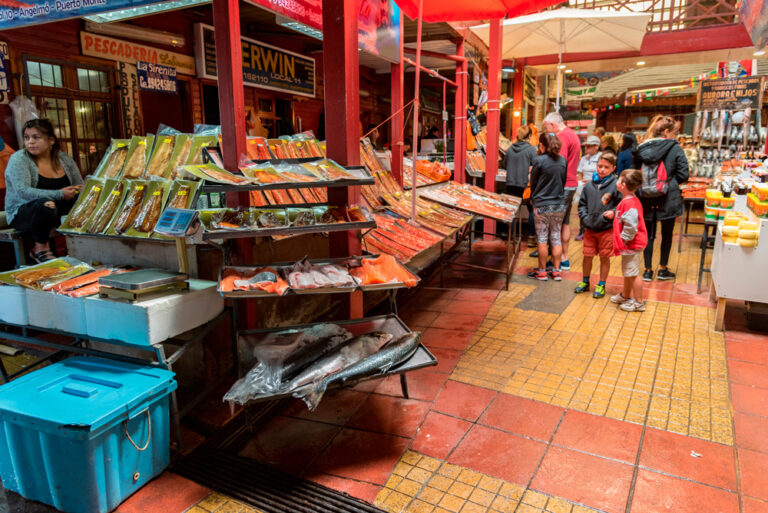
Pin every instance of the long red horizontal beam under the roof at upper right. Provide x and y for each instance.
(703, 39)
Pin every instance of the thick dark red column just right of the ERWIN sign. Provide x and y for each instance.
(342, 116)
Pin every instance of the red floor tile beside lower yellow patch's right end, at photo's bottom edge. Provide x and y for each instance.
(586, 479)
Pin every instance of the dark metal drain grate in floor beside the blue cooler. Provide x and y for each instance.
(265, 488)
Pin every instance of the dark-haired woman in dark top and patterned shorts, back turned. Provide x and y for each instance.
(548, 177)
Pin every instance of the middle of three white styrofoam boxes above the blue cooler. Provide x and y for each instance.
(56, 311)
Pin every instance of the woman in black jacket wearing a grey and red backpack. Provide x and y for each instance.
(664, 167)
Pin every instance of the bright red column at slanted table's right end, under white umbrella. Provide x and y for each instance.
(493, 116)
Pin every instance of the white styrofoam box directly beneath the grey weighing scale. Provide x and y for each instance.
(154, 320)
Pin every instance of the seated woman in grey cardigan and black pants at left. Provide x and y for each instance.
(42, 183)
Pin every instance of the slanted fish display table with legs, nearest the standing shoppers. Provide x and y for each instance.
(498, 207)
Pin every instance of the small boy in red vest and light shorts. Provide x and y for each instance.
(629, 240)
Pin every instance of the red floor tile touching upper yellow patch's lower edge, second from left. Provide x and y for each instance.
(523, 416)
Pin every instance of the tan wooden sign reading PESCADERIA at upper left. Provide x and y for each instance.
(113, 49)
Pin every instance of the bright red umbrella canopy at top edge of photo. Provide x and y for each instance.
(462, 10)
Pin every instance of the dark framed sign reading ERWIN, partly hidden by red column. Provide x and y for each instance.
(264, 65)
